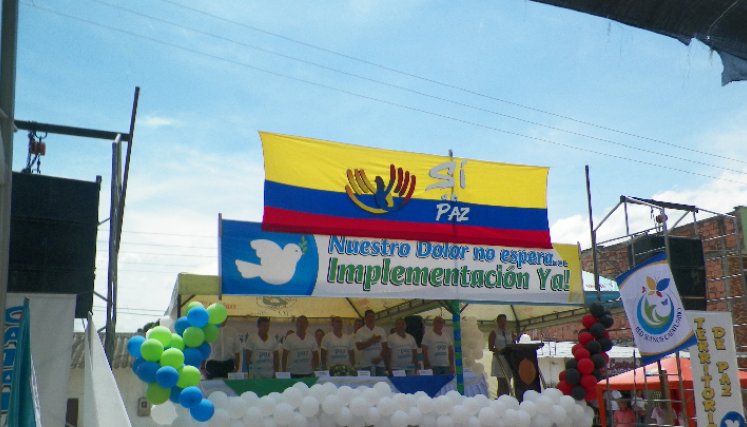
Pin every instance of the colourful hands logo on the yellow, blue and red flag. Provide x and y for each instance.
(388, 198)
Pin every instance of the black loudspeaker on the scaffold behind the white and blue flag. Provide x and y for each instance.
(686, 261)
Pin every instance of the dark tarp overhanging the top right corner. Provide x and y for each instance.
(720, 24)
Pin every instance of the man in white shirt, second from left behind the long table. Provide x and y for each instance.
(300, 352)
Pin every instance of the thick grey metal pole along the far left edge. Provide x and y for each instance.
(8, 45)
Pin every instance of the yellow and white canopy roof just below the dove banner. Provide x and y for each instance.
(206, 289)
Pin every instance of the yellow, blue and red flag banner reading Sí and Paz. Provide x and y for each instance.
(322, 187)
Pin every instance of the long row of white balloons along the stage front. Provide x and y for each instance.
(326, 405)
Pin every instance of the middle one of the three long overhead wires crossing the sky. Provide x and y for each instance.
(413, 91)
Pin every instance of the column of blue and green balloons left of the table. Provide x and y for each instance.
(169, 362)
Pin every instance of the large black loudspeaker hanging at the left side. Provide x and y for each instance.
(53, 228)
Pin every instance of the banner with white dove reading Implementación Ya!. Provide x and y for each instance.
(254, 262)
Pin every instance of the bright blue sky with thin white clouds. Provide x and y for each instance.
(226, 70)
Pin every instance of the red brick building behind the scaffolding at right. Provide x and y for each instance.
(723, 243)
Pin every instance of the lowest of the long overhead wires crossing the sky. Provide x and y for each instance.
(379, 100)
